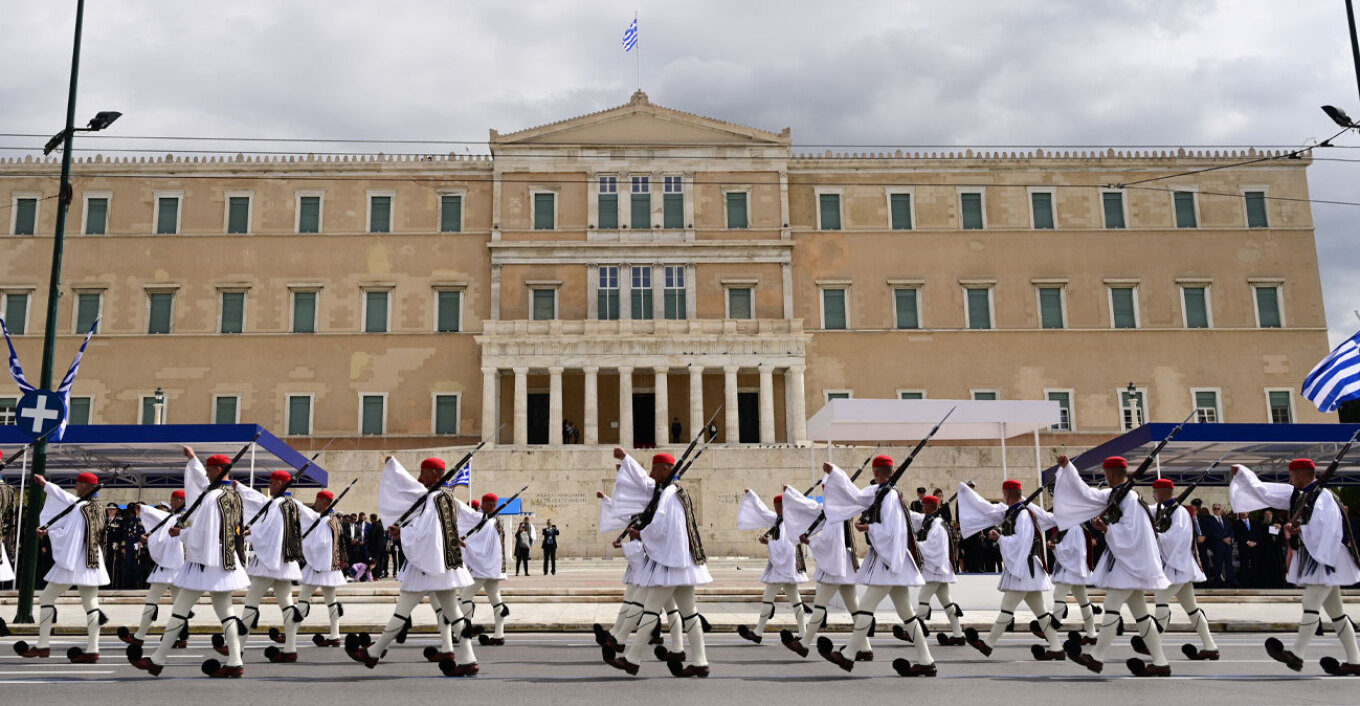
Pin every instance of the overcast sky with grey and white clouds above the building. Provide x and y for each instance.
(1018, 73)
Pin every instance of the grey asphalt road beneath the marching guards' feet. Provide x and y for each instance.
(566, 670)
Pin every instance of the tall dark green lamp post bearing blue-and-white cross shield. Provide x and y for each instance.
(29, 533)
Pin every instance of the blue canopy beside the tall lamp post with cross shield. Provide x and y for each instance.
(152, 456)
